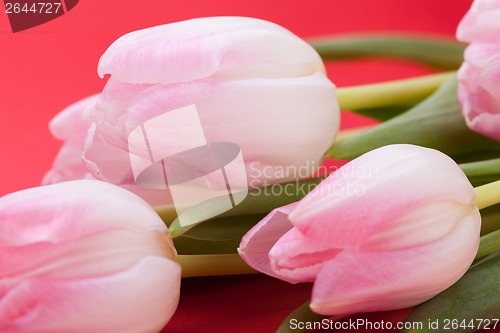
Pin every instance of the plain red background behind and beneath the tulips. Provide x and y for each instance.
(44, 69)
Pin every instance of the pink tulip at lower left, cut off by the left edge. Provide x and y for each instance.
(84, 256)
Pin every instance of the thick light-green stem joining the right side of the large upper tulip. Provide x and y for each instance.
(390, 93)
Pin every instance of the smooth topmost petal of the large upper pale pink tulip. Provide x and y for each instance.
(203, 47)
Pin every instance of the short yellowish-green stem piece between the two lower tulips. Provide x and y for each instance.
(213, 265)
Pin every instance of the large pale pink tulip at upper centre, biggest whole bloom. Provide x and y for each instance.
(253, 83)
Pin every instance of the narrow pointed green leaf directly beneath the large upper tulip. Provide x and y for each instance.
(258, 201)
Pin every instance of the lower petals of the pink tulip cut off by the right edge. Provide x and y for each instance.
(479, 78)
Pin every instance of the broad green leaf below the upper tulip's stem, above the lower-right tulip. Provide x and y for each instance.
(436, 123)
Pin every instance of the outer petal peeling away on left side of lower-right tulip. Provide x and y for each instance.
(258, 241)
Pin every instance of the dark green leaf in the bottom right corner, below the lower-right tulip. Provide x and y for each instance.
(468, 306)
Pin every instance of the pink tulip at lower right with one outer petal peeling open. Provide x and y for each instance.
(388, 230)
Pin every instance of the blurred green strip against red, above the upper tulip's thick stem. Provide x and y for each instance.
(438, 53)
